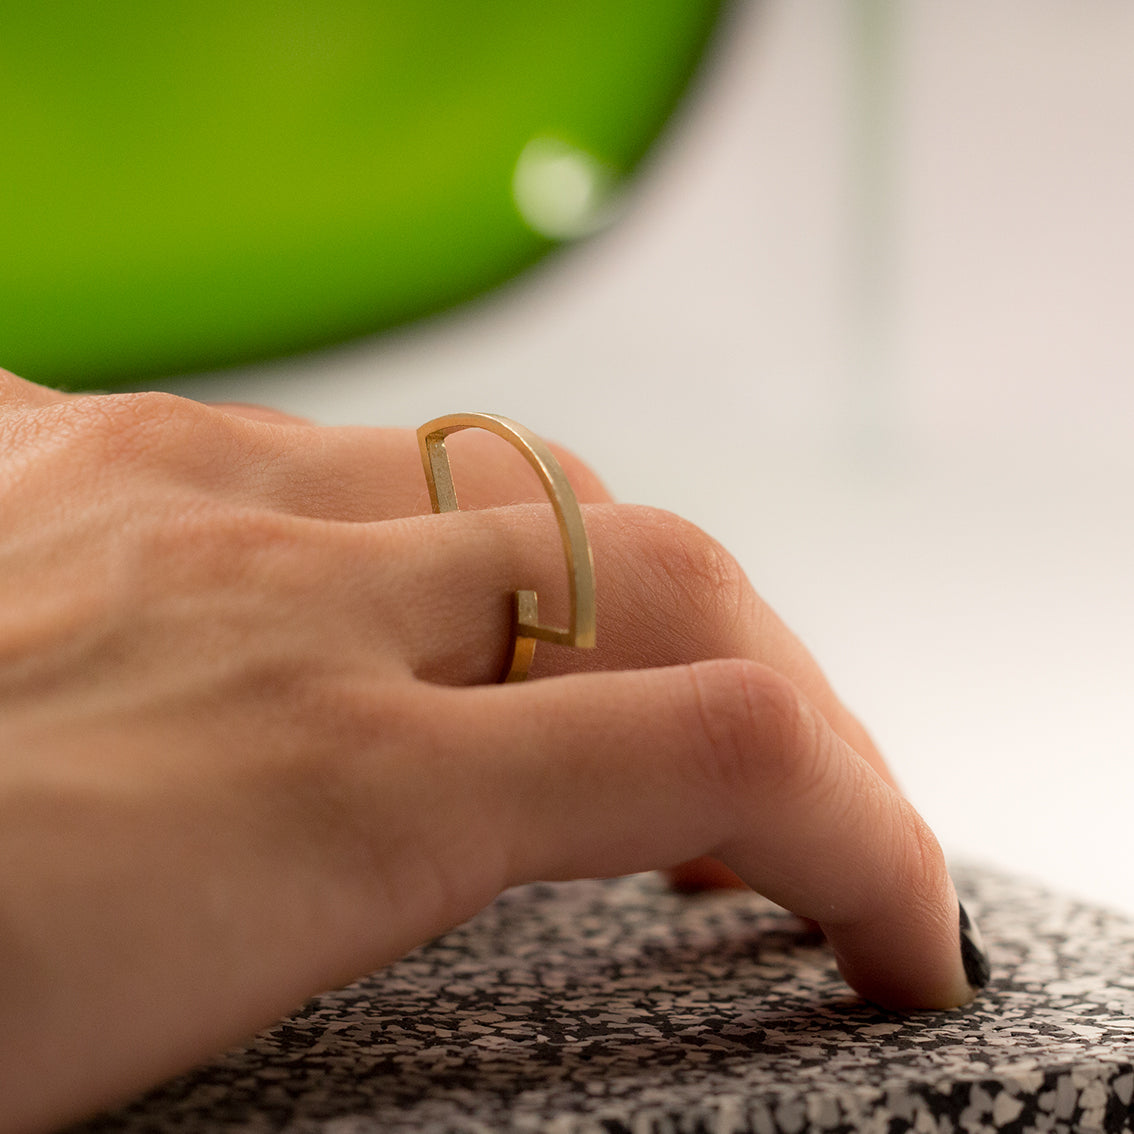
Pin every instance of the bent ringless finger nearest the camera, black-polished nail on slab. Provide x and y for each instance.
(622, 773)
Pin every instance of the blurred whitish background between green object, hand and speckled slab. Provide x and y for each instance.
(868, 320)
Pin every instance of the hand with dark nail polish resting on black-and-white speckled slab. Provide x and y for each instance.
(251, 744)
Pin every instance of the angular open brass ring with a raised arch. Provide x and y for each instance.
(527, 627)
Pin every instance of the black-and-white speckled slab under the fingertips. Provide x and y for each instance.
(611, 1008)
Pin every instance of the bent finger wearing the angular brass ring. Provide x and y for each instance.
(667, 595)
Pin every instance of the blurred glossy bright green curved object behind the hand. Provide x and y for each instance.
(193, 184)
